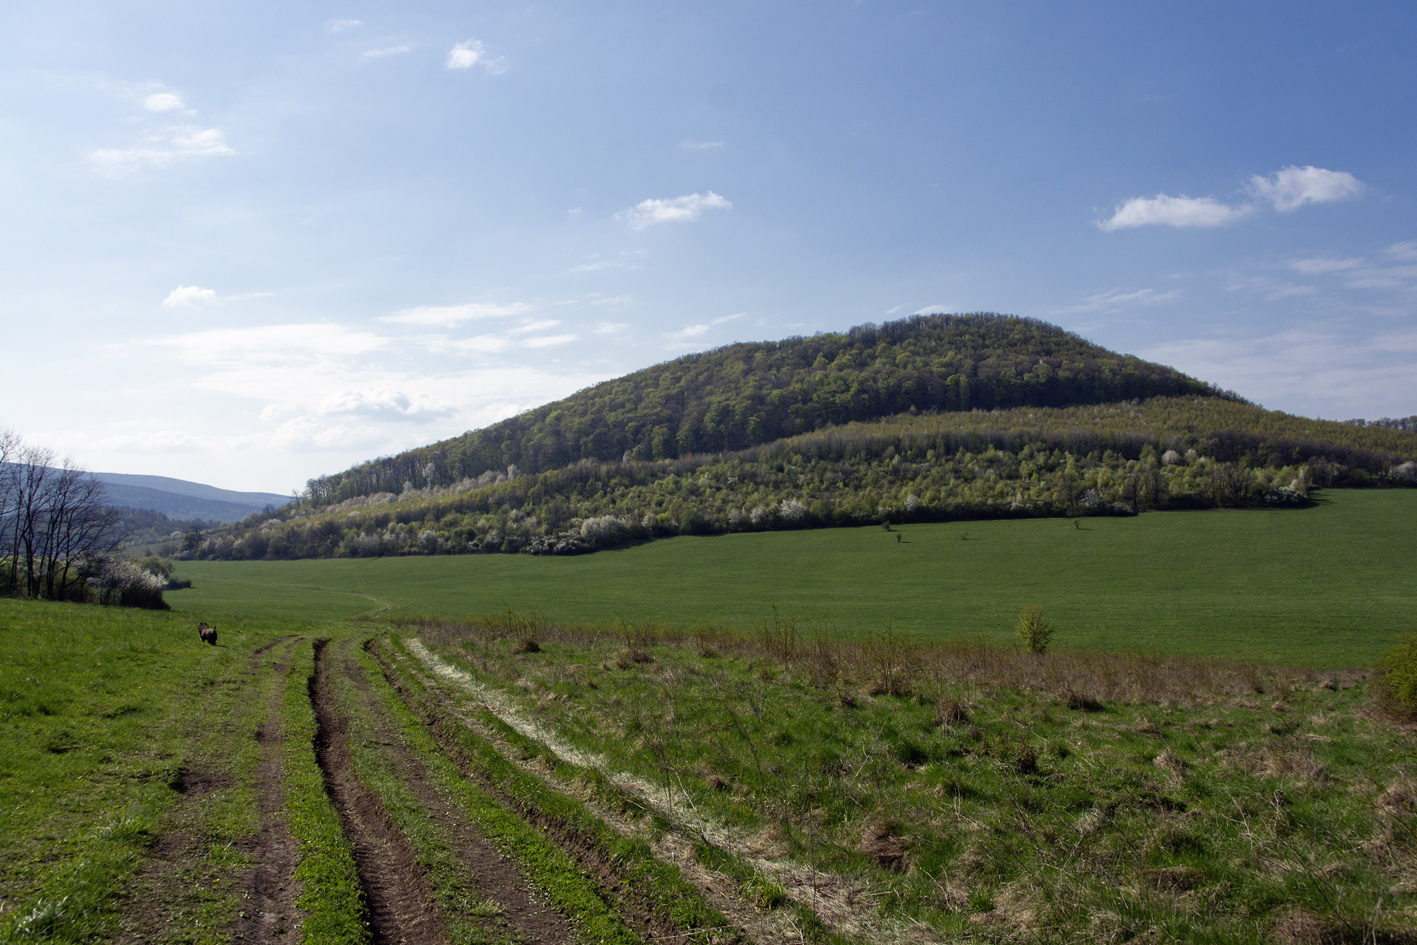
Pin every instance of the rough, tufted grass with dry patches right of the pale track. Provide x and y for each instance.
(1224, 807)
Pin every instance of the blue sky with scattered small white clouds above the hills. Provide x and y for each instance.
(249, 244)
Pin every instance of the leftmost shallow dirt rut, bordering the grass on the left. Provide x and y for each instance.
(273, 915)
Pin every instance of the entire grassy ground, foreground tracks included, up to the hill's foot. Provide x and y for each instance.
(811, 737)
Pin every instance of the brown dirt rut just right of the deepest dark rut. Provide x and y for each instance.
(484, 869)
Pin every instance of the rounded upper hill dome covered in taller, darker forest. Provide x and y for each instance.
(745, 396)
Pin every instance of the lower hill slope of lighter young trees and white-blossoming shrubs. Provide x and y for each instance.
(1168, 453)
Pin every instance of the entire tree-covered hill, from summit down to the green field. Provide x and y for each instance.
(1194, 451)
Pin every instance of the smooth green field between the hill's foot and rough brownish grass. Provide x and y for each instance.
(1326, 587)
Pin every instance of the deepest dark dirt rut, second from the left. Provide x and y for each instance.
(402, 907)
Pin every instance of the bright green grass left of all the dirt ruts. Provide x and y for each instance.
(107, 716)
